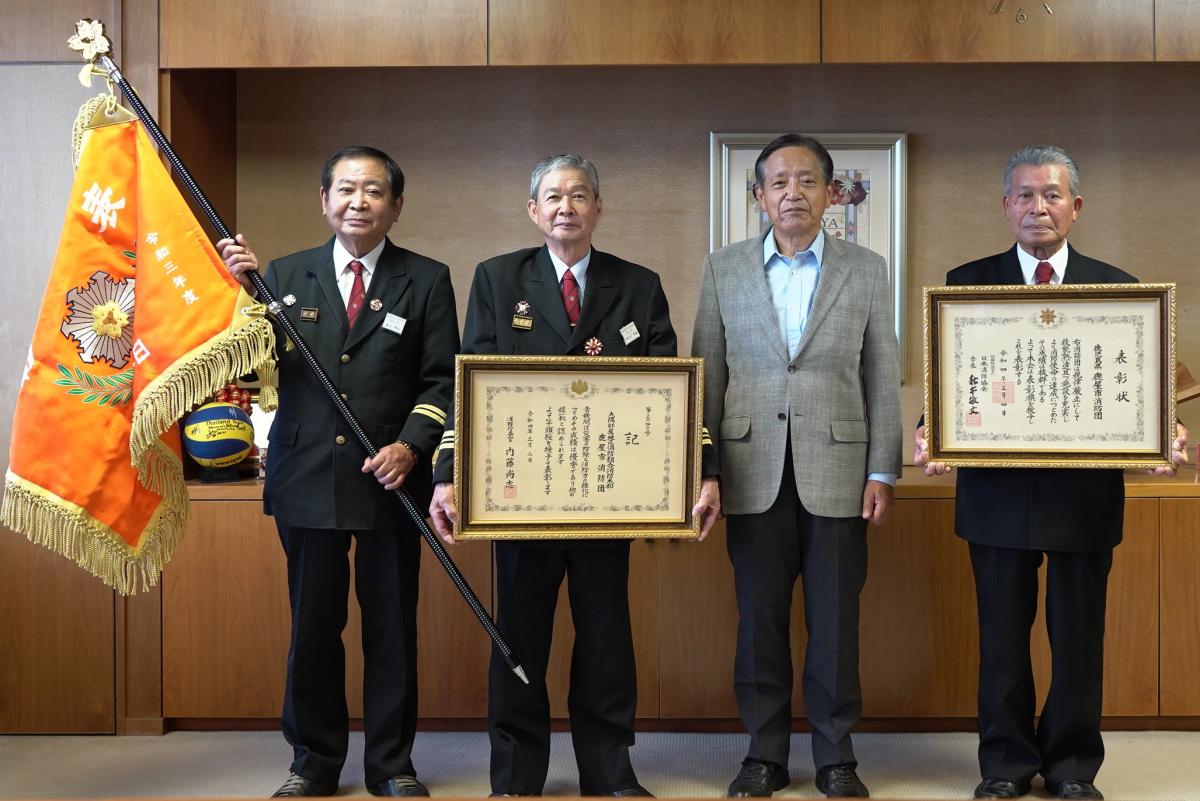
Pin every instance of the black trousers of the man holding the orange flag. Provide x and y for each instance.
(316, 722)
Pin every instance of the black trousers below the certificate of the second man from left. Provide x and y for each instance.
(603, 696)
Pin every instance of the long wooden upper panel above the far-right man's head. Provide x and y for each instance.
(868, 32)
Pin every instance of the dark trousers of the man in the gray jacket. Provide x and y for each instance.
(770, 552)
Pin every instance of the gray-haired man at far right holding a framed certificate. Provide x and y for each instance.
(1013, 519)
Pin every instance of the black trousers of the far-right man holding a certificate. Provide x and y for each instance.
(1066, 744)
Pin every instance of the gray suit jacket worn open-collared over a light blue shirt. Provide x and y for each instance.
(839, 400)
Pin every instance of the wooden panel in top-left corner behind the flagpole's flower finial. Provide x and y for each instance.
(38, 31)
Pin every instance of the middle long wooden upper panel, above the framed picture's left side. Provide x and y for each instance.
(669, 32)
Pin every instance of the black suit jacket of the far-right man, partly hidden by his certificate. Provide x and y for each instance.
(1029, 508)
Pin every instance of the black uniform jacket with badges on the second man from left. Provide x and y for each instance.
(617, 293)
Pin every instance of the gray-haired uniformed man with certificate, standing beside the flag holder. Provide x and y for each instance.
(562, 299)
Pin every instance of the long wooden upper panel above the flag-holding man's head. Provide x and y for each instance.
(319, 34)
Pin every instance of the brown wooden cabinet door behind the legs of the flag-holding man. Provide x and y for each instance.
(226, 624)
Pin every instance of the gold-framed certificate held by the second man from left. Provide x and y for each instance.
(577, 447)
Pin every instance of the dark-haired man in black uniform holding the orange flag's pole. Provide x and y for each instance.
(382, 322)
